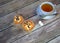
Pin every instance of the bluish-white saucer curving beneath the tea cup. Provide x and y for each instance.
(39, 13)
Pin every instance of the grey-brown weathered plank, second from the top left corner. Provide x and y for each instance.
(14, 5)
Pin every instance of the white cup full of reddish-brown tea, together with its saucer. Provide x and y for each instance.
(46, 10)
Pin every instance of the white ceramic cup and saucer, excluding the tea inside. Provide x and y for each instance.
(44, 14)
